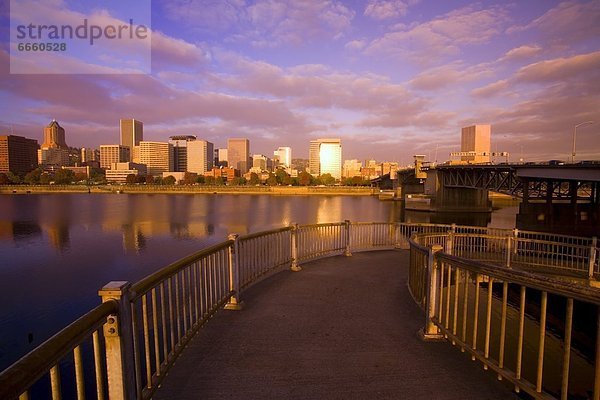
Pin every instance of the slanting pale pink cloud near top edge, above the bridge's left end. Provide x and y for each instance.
(440, 37)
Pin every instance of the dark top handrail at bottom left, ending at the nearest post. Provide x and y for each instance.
(37, 362)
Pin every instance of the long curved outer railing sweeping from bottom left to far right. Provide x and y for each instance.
(147, 325)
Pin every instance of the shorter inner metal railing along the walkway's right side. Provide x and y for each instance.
(463, 304)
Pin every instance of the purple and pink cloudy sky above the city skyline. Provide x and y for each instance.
(391, 78)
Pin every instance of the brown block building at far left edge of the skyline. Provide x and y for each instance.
(18, 154)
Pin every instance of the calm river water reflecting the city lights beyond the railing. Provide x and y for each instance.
(57, 250)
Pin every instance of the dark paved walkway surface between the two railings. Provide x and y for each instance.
(342, 328)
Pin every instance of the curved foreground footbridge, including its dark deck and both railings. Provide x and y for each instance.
(312, 317)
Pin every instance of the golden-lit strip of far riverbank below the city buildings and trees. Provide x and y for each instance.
(196, 189)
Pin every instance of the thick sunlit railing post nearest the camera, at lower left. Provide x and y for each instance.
(118, 339)
